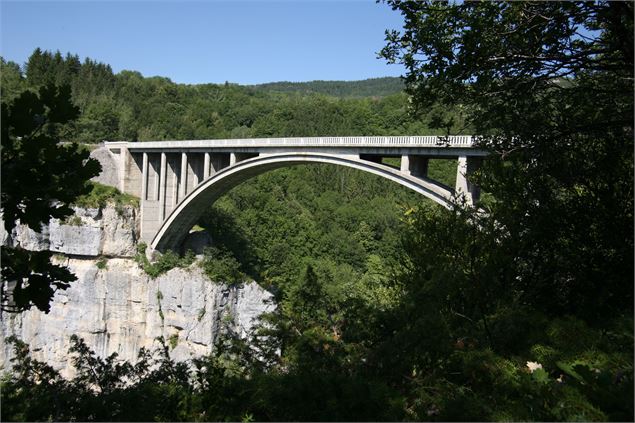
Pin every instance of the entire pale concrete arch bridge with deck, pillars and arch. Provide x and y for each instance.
(177, 180)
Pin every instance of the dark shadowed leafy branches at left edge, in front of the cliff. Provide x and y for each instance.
(41, 176)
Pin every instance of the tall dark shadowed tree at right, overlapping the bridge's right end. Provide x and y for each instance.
(550, 84)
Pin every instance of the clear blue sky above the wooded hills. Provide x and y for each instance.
(240, 41)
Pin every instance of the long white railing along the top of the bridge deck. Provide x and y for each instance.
(377, 141)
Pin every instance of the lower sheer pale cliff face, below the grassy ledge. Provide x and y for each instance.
(120, 309)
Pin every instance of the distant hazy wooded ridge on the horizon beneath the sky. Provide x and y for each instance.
(373, 87)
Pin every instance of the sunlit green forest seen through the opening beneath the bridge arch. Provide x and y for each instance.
(278, 222)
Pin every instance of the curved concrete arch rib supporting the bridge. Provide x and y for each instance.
(190, 209)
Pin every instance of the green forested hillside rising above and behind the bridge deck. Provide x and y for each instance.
(126, 106)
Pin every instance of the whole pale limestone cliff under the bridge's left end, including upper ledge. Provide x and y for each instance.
(115, 306)
